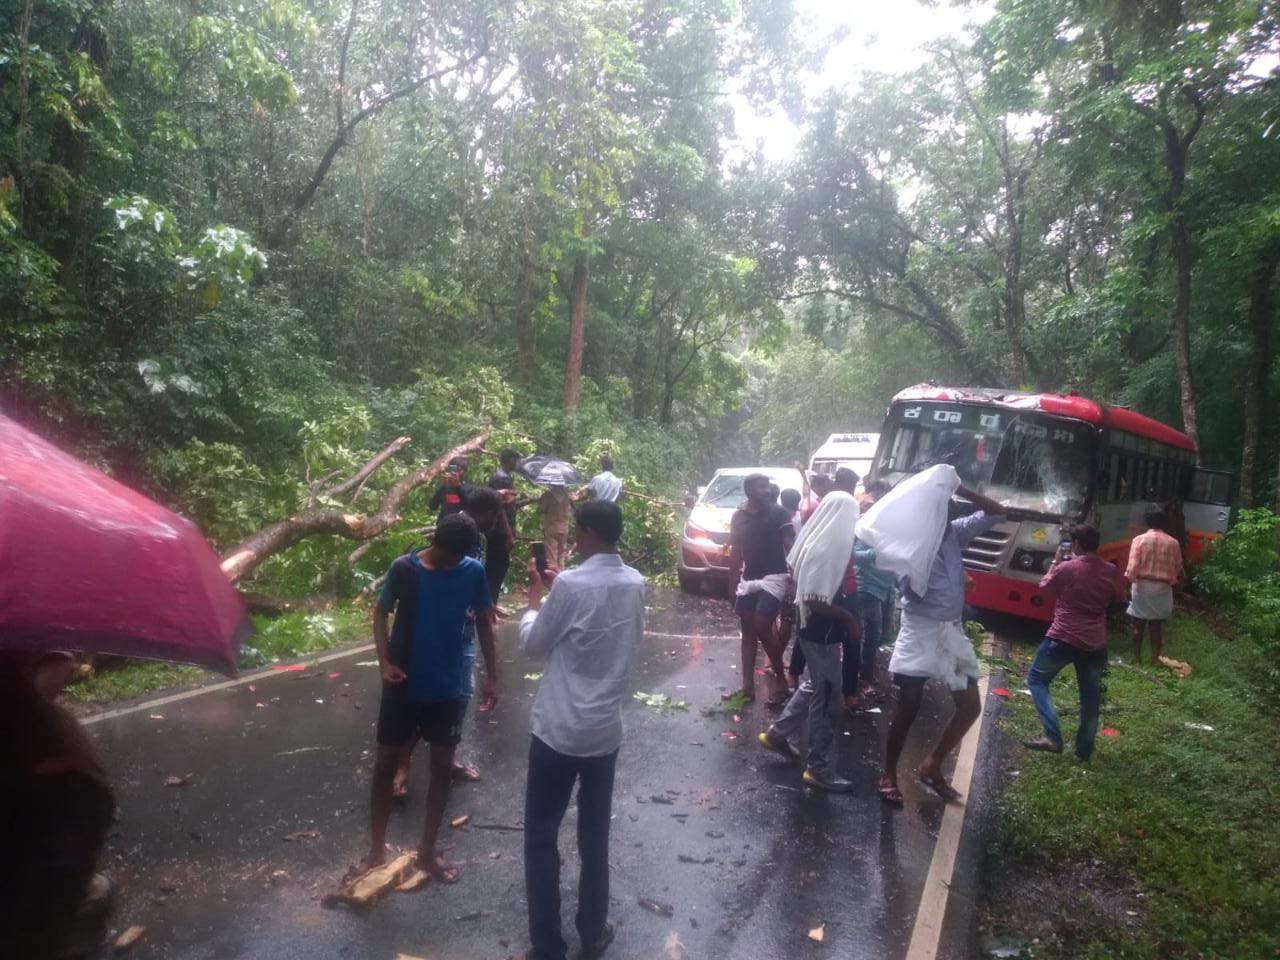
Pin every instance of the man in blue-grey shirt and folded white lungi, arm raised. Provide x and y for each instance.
(932, 644)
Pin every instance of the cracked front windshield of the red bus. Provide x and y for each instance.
(1025, 460)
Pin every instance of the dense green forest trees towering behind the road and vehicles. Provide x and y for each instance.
(245, 246)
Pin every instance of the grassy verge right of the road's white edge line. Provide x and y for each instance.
(1182, 822)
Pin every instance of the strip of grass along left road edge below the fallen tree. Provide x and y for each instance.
(276, 639)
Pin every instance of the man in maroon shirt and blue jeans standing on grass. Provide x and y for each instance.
(1085, 586)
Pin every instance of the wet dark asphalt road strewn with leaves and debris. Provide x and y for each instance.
(198, 866)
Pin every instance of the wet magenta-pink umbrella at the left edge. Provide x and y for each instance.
(86, 564)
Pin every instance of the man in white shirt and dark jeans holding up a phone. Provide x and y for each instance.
(588, 633)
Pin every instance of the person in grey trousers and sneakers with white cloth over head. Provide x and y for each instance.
(820, 559)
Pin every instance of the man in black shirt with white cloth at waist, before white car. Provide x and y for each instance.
(761, 536)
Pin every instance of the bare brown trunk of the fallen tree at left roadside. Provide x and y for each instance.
(245, 559)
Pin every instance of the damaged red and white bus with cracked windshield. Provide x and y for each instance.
(1057, 460)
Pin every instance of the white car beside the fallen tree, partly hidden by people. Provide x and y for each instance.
(705, 542)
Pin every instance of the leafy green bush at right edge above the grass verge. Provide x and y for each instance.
(1242, 578)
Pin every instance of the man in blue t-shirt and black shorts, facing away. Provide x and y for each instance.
(424, 661)
